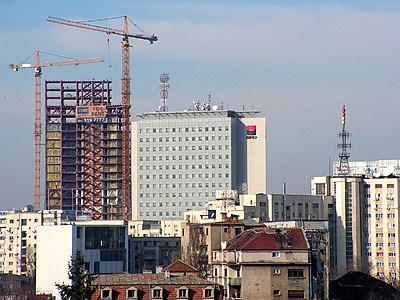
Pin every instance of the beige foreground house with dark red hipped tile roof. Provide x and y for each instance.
(264, 264)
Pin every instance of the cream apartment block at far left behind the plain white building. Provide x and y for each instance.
(18, 237)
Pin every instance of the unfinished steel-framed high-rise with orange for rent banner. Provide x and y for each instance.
(83, 149)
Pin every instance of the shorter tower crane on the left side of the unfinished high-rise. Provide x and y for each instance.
(38, 112)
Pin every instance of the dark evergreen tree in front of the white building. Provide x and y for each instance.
(81, 282)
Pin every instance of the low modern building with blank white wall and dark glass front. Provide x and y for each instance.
(103, 244)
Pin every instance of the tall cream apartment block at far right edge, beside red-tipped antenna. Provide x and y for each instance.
(367, 218)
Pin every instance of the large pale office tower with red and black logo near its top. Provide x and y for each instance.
(179, 159)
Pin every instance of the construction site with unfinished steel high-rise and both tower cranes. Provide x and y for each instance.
(87, 136)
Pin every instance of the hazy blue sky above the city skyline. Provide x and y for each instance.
(297, 62)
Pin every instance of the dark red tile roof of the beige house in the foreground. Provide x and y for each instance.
(269, 239)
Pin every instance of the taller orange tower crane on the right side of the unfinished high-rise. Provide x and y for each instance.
(125, 95)
